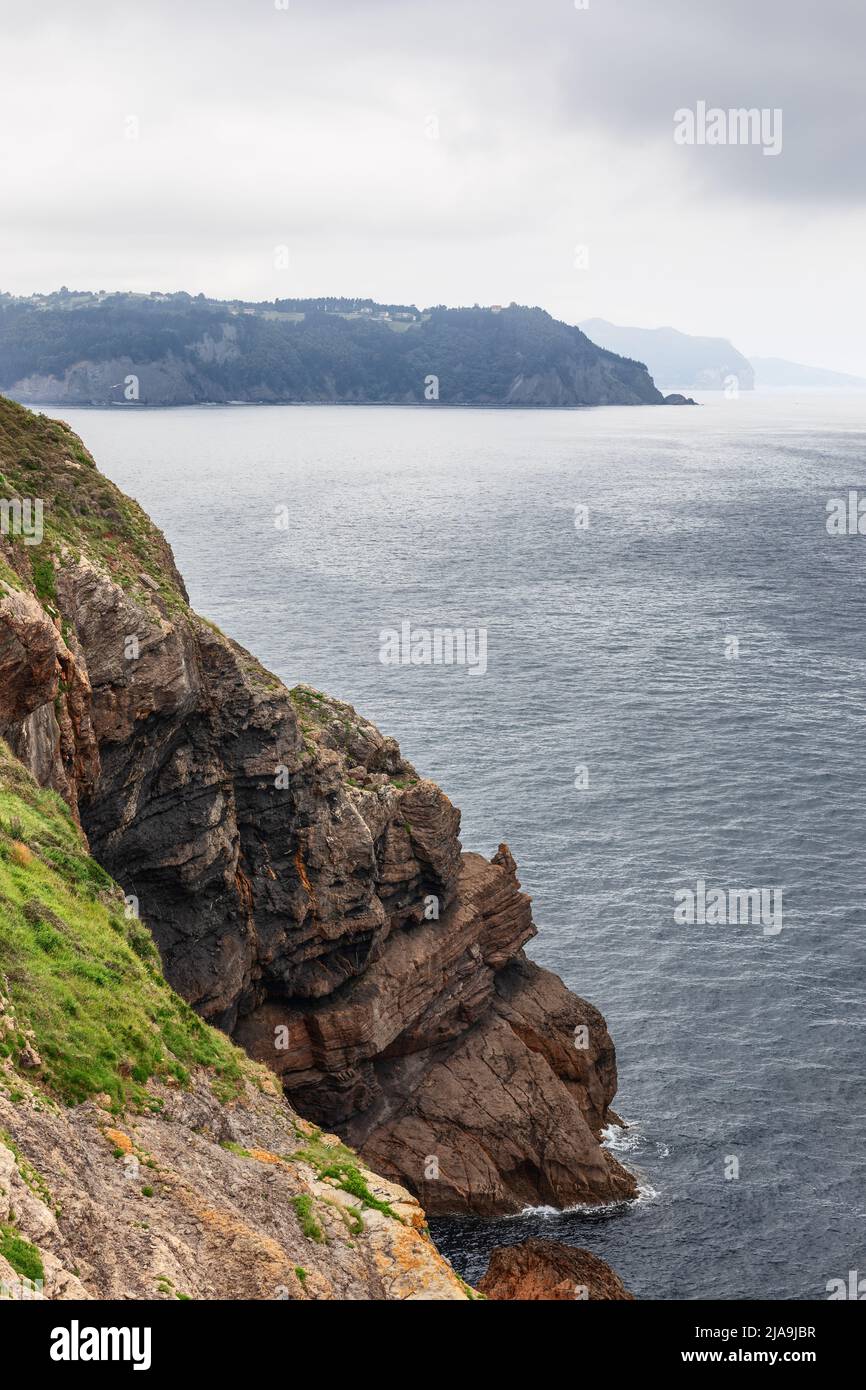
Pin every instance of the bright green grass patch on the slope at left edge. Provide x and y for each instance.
(83, 976)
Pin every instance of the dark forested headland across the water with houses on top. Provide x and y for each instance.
(84, 348)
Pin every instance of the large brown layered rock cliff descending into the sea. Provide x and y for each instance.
(305, 886)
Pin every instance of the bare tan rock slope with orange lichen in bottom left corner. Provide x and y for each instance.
(199, 1203)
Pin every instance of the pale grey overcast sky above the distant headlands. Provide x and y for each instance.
(447, 152)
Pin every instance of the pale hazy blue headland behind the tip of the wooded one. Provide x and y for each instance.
(675, 359)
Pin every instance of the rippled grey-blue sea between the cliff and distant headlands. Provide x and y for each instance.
(610, 648)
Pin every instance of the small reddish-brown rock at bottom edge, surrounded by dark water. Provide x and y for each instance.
(548, 1271)
